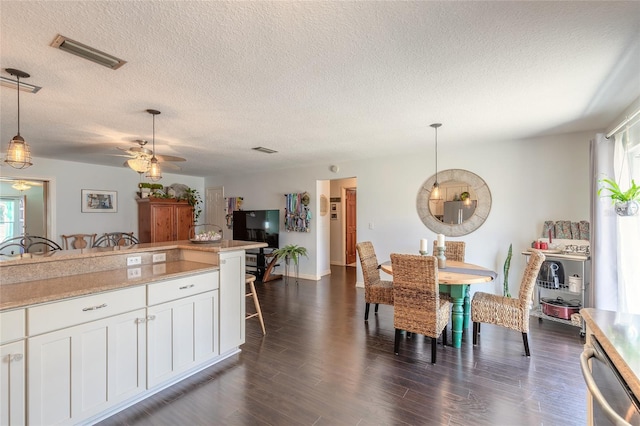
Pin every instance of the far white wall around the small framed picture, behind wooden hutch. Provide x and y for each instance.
(69, 178)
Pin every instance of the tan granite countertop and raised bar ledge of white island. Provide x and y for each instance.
(27, 280)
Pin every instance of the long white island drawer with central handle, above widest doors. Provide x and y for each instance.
(54, 316)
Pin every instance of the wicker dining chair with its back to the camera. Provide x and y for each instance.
(417, 305)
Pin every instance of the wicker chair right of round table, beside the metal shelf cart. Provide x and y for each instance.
(506, 311)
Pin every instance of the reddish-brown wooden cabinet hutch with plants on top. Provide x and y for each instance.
(162, 219)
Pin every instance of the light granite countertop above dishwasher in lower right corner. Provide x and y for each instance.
(619, 336)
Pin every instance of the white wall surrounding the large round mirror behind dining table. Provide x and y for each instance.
(530, 181)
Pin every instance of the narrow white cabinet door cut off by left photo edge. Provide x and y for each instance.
(12, 384)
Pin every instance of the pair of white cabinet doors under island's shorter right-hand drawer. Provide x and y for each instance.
(181, 335)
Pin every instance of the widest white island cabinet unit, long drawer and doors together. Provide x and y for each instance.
(81, 370)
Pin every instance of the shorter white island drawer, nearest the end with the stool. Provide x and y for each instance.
(181, 287)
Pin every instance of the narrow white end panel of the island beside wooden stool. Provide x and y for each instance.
(232, 299)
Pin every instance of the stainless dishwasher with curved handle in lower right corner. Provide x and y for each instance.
(611, 402)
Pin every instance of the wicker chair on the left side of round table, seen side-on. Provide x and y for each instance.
(375, 290)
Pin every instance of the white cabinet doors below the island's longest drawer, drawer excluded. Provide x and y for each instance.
(79, 371)
